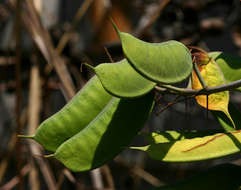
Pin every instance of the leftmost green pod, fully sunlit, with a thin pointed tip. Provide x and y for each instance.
(74, 116)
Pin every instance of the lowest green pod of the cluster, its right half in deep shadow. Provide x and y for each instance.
(107, 135)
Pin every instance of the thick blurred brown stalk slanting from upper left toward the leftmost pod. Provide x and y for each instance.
(43, 41)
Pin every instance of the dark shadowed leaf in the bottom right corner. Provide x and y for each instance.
(221, 177)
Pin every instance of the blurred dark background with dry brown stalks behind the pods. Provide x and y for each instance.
(42, 46)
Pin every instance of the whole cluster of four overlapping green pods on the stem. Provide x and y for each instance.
(103, 118)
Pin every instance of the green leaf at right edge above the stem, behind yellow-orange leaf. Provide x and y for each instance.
(230, 65)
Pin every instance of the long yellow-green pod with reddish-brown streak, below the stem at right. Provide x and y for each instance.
(196, 149)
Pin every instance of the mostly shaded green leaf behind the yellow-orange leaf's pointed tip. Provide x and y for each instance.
(225, 121)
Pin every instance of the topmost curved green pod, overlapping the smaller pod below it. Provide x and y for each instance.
(167, 62)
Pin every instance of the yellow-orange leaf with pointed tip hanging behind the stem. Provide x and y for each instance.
(213, 76)
